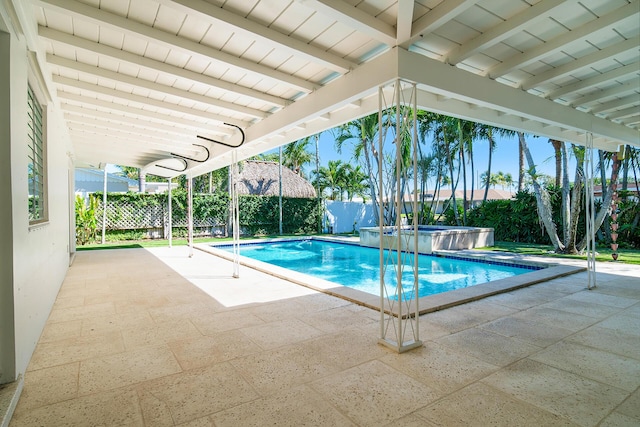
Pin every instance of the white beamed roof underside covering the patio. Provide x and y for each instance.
(139, 81)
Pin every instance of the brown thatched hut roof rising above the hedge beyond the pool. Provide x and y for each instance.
(259, 177)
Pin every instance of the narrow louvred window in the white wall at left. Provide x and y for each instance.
(37, 165)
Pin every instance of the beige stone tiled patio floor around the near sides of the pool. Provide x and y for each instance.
(132, 341)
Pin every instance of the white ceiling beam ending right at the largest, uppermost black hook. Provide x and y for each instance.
(138, 112)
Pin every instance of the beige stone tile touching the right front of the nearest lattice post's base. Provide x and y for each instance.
(439, 367)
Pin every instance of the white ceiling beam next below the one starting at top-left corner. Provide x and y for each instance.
(157, 66)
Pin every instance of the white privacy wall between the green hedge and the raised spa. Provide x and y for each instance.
(345, 217)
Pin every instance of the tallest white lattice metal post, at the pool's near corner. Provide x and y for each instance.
(399, 302)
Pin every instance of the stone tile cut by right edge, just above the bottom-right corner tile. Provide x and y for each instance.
(599, 365)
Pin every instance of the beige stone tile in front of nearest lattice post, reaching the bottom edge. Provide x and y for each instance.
(374, 393)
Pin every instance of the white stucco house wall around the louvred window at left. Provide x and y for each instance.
(39, 256)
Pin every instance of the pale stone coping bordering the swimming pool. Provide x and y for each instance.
(426, 304)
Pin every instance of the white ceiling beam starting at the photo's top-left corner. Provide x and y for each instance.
(106, 19)
